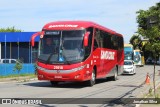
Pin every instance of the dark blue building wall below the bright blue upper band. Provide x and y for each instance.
(21, 50)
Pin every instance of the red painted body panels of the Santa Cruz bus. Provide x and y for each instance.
(104, 60)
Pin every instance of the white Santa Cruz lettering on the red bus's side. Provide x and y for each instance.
(107, 55)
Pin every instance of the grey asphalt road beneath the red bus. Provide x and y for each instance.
(127, 86)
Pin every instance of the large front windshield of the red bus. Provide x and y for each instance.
(62, 47)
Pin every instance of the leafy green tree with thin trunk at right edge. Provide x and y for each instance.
(149, 27)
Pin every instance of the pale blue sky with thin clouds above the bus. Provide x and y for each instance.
(32, 15)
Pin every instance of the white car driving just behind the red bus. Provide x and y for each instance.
(129, 67)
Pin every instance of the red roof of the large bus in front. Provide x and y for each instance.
(73, 25)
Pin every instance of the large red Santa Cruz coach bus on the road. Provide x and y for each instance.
(78, 51)
